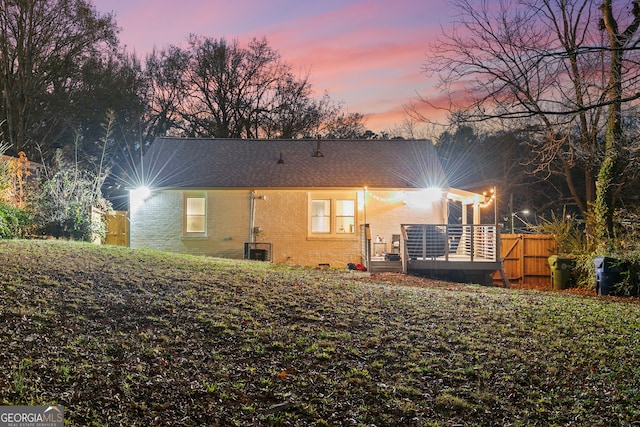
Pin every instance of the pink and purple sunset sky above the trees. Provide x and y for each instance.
(367, 54)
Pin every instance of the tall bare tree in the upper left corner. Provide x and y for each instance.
(43, 46)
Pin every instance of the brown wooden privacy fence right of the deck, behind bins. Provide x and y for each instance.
(525, 259)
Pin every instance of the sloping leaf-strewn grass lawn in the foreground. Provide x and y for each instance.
(140, 338)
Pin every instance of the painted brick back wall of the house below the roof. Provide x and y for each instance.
(283, 218)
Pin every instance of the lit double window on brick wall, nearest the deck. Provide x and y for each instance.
(332, 216)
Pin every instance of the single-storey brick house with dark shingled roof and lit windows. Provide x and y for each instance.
(303, 202)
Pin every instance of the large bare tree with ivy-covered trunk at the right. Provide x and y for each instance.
(554, 67)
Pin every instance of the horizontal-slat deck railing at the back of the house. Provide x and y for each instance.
(476, 242)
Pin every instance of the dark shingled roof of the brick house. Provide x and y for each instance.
(244, 163)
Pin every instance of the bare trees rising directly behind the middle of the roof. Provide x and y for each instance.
(218, 88)
